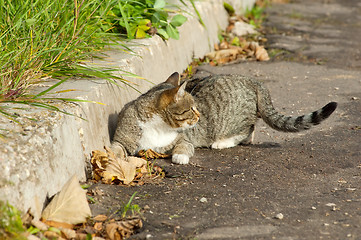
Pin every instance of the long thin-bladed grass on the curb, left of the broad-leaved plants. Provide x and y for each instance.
(41, 39)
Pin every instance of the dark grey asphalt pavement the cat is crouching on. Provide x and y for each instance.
(286, 185)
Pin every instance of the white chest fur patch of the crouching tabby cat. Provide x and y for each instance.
(156, 134)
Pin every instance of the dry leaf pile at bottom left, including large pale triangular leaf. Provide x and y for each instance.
(68, 216)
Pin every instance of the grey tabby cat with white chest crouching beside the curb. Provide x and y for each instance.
(218, 111)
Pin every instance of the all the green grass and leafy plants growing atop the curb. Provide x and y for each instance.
(41, 39)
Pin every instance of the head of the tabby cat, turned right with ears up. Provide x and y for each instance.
(177, 106)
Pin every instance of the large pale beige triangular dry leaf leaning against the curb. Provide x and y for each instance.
(70, 205)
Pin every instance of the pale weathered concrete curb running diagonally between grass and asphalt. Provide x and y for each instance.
(38, 158)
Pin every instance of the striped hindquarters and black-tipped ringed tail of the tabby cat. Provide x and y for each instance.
(230, 106)
